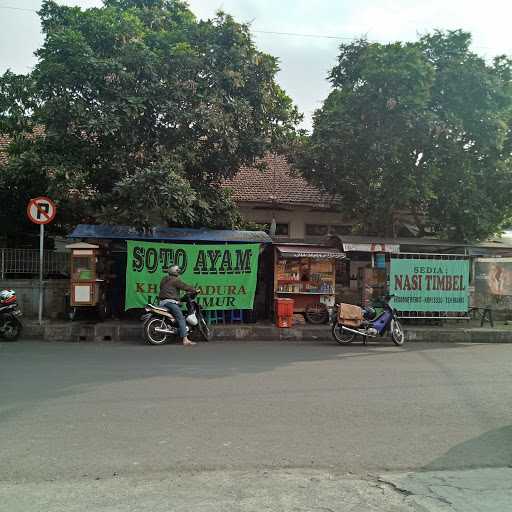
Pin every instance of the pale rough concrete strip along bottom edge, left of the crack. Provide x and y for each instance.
(209, 491)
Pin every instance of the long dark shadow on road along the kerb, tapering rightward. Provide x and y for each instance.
(31, 372)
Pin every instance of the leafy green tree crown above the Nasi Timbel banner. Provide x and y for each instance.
(422, 127)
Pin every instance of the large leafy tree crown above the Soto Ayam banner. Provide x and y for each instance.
(146, 110)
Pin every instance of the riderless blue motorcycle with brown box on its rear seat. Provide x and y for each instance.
(351, 321)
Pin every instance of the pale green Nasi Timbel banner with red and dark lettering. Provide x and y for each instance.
(430, 285)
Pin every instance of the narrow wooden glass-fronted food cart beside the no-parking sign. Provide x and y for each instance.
(89, 279)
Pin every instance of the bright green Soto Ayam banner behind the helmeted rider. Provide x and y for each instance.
(225, 275)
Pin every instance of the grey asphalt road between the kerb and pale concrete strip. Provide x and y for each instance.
(97, 411)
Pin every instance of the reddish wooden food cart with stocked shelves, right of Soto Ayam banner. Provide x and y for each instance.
(307, 274)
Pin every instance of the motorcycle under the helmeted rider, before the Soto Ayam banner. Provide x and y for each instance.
(160, 324)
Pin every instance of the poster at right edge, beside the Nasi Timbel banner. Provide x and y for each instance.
(493, 282)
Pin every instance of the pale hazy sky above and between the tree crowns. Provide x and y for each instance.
(313, 31)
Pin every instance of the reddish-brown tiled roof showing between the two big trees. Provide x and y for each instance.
(276, 183)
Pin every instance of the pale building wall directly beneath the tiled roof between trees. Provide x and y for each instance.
(296, 218)
